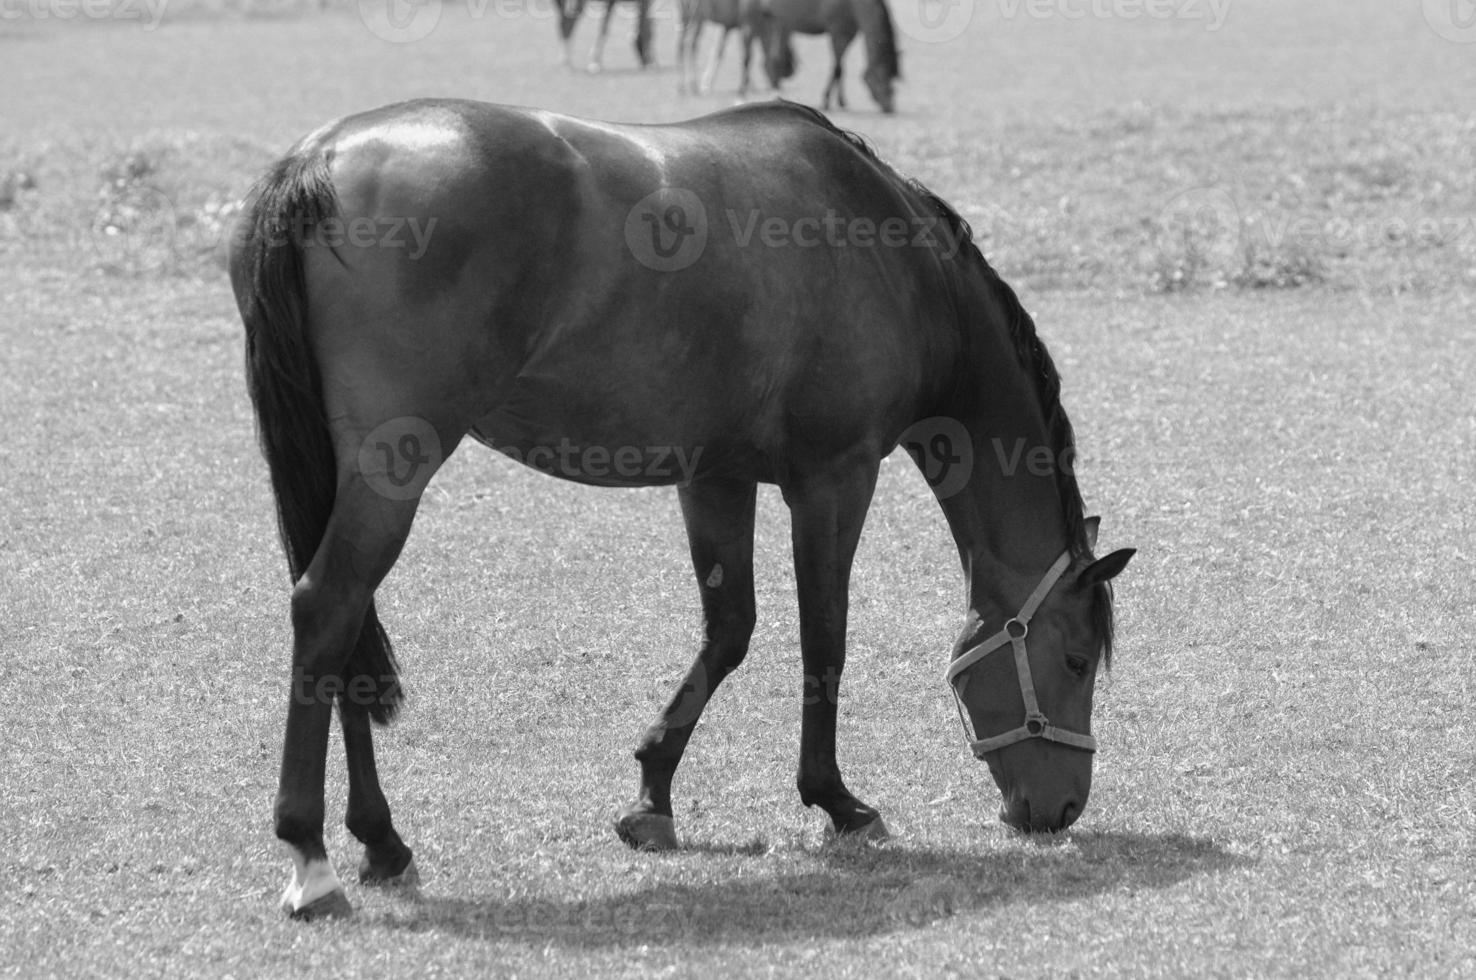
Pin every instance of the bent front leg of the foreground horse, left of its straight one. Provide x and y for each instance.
(720, 529)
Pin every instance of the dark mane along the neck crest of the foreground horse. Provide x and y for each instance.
(1034, 358)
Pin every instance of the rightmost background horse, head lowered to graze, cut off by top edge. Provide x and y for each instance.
(841, 20)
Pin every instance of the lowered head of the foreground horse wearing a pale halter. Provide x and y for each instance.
(1027, 684)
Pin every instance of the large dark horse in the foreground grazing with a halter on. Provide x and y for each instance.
(749, 297)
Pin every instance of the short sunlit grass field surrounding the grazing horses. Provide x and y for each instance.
(1252, 252)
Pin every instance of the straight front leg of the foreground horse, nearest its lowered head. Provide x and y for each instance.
(827, 516)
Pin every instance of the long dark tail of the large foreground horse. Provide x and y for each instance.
(283, 379)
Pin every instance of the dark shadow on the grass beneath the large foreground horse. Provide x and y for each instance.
(861, 892)
